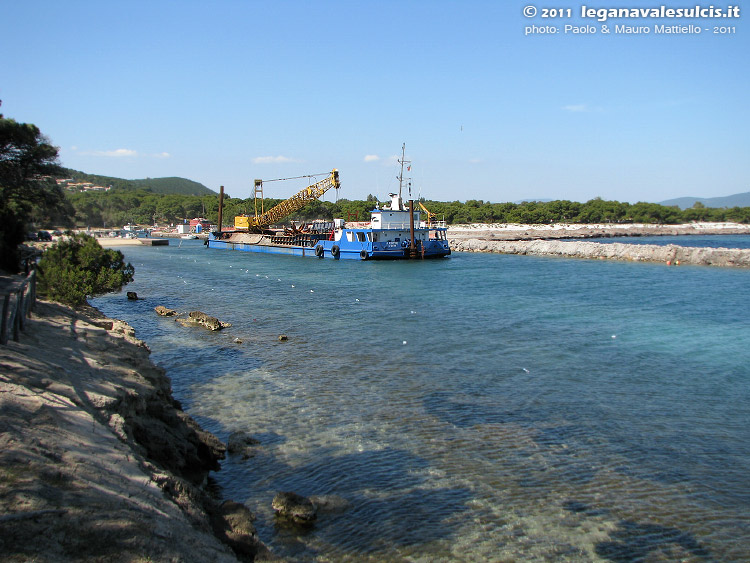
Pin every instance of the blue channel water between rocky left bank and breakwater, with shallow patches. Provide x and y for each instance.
(476, 408)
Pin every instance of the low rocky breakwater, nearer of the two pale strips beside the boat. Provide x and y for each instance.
(669, 254)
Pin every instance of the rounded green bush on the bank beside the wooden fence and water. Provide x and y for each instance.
(76, 268)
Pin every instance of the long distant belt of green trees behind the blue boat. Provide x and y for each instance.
(118, 208)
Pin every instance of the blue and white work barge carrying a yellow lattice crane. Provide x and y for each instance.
(394, 232)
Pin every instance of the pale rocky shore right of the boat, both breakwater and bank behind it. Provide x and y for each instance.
(544, 240)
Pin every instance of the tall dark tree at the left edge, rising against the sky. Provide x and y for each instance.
(28, 191)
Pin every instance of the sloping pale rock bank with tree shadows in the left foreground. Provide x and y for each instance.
(97, 460)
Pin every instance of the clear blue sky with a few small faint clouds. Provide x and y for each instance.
(223, 92)
